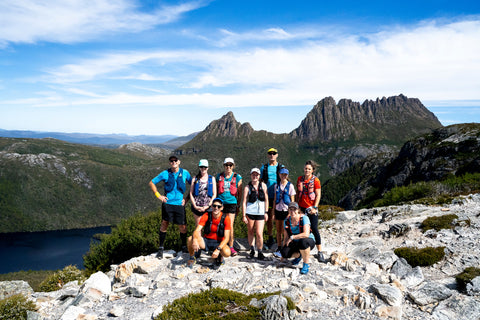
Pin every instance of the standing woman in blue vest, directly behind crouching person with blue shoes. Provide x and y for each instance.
(283, 196)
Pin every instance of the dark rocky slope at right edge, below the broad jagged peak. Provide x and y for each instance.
(453, 150)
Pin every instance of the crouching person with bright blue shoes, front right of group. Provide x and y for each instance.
(298, 241)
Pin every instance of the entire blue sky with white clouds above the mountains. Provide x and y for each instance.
(171, 67)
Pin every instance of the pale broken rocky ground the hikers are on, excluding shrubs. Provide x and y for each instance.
(359, 276)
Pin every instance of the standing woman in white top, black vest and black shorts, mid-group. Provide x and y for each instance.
(255, 204)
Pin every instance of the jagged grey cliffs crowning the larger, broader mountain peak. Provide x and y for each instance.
(395, 118)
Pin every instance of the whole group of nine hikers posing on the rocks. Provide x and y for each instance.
(269, 196)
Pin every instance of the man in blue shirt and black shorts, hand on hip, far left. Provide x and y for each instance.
(173, 202)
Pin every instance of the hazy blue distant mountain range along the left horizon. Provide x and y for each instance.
(163, 141)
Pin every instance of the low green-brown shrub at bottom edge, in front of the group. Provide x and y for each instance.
(216, 303)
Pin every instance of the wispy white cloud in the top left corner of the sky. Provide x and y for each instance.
(67, 21)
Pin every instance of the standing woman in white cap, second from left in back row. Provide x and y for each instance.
(202, 191)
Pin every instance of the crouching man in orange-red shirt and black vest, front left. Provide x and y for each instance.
(216, 233)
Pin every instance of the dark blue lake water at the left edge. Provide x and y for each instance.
(49, 250)
